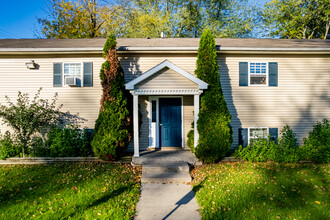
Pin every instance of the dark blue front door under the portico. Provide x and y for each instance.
(170, 122)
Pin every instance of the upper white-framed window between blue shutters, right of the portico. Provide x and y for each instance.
(258, 73)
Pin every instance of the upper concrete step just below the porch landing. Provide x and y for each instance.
(165, 167)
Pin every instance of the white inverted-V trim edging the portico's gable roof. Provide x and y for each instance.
(166, 64)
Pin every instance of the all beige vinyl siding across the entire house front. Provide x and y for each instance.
(300, 99)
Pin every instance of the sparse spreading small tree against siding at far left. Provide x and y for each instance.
(26, 118)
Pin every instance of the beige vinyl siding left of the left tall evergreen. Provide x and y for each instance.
(14, 77)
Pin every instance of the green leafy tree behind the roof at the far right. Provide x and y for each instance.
(303, 19)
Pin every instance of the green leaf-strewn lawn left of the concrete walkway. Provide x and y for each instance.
(69, 190)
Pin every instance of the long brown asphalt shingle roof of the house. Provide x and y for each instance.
(163, 42)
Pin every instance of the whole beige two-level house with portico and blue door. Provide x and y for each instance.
(267, 83)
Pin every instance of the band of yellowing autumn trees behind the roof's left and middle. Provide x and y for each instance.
(148, 18)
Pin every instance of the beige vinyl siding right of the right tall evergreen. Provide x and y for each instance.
(300, 99)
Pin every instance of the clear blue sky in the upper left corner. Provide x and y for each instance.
(18, 18)
